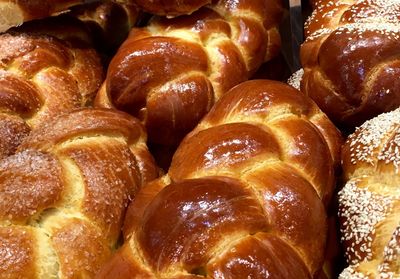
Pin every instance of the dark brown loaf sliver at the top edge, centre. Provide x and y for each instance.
(171, 7)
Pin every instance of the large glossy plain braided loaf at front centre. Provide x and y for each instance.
(244, 196)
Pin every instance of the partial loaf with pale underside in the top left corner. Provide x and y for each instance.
(15, 12)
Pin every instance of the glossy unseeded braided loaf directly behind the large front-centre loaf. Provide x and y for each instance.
(169, 73)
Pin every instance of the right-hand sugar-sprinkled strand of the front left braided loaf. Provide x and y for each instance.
(102, 203)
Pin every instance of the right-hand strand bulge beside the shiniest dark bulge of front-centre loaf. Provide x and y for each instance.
(300, 202)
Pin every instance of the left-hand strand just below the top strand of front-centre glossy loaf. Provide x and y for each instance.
(225, 149)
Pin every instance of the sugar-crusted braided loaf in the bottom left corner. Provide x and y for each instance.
(63, 194)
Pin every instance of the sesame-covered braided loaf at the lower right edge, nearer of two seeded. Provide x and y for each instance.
(370, 201)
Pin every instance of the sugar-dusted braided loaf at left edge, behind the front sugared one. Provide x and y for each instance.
(41, 77)
